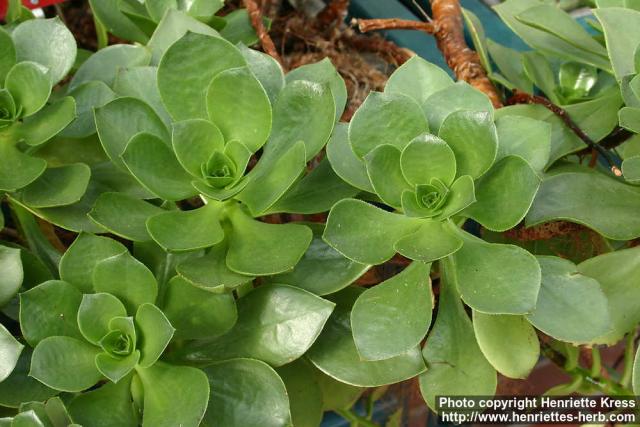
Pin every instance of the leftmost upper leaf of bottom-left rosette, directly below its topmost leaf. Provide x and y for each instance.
(49, 309)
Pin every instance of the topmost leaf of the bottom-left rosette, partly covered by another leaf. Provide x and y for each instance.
(78, 262)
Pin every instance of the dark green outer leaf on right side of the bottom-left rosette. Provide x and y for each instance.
(196, 312)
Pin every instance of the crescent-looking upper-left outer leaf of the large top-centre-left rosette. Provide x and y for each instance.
(121, 119)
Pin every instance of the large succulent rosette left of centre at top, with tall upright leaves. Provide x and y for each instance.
(220, 119)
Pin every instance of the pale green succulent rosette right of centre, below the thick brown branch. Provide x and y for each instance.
(431, 151)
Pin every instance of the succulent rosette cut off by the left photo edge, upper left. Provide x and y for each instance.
(31, 114)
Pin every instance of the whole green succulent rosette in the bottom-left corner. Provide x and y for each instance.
(105, 329)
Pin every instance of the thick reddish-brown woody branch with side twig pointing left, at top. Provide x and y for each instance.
(448, 30)
